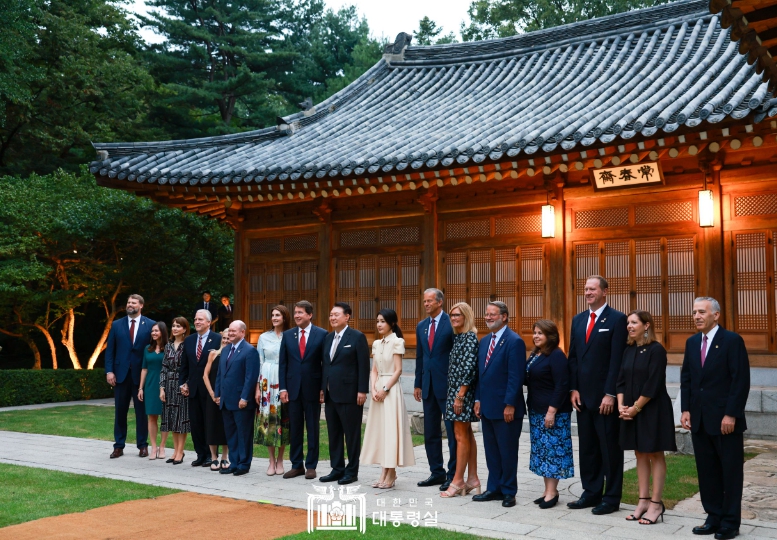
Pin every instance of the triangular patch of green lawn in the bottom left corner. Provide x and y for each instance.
(30, 494)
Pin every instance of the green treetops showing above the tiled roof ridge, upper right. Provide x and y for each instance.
(503, 18)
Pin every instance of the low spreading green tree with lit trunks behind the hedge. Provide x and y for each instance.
(67, 244)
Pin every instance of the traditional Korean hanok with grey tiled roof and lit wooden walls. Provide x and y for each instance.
(641, 146)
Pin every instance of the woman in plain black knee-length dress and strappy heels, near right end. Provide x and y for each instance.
(645, 409)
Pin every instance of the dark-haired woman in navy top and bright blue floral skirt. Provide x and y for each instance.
(550, 412)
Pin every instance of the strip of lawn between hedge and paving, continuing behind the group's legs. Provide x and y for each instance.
(96, 422)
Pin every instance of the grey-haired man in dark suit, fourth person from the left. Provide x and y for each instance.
(196, 348)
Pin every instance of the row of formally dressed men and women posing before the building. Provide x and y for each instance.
(614, 377)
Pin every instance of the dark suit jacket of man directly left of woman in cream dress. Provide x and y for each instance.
(348, 372)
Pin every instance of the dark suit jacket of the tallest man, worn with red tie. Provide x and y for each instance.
(594, 366)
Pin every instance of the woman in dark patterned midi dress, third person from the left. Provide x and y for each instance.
(175, 412)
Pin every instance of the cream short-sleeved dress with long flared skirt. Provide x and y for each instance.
(387, 438)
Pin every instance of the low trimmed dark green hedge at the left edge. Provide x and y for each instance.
(30, 386)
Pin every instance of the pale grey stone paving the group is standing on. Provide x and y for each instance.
(85, 456)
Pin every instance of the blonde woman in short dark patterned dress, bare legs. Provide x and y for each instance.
(460, 402)
